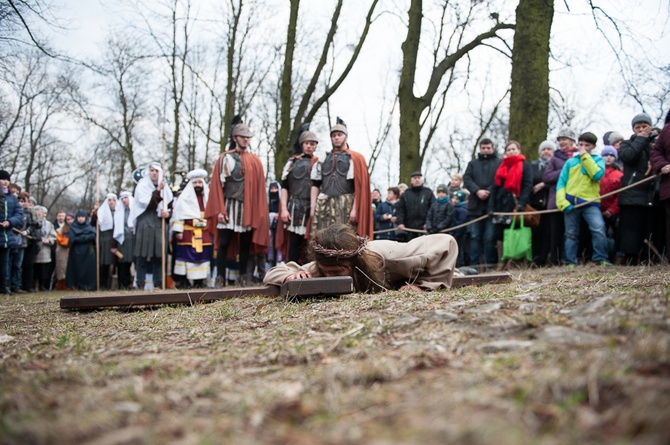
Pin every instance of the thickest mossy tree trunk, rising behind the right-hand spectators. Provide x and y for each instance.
(529, 101)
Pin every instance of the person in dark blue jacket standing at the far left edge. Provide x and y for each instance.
(11, 216)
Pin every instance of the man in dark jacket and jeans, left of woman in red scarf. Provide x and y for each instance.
(479, 176)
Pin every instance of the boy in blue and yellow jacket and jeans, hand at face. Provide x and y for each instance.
(579, 182)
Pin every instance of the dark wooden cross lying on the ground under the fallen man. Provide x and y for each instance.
(330, 286)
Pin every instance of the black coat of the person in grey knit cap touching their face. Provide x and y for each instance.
(634, 154)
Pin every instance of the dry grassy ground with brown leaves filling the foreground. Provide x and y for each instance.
(555, 357)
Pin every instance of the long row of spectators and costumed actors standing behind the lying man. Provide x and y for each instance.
(227, 228)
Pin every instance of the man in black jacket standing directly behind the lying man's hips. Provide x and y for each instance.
(413, 207)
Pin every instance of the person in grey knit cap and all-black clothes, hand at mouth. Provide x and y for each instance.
(640, 212)
